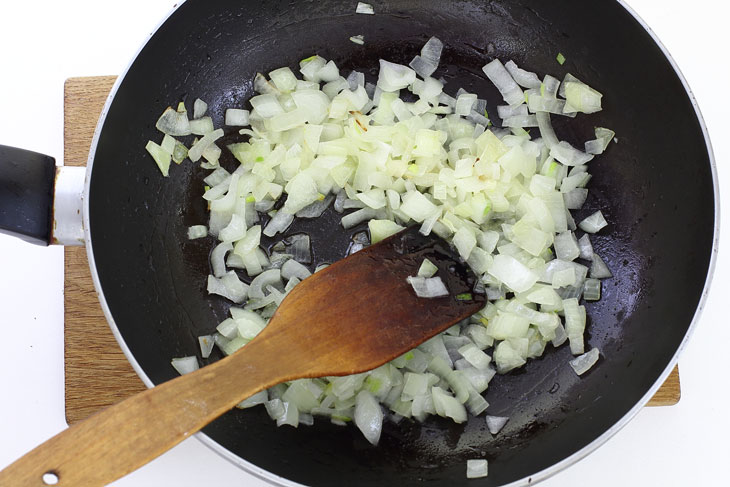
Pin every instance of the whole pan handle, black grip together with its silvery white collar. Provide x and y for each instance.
(39, 202)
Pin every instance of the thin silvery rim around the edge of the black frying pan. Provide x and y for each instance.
(529, 480)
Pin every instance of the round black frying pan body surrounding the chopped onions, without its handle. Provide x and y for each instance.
(656, 191)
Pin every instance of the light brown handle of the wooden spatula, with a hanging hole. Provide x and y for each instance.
(123, 437)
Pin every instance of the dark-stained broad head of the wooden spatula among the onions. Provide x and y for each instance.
(361, 312)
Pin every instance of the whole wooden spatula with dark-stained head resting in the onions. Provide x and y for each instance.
(351, 317)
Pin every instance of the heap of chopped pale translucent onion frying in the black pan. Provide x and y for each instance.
(501, 196)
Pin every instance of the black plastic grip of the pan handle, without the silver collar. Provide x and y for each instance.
(26, 194)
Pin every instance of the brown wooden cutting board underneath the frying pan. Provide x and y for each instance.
(97, 372)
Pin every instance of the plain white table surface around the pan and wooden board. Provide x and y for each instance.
(44, 42)
